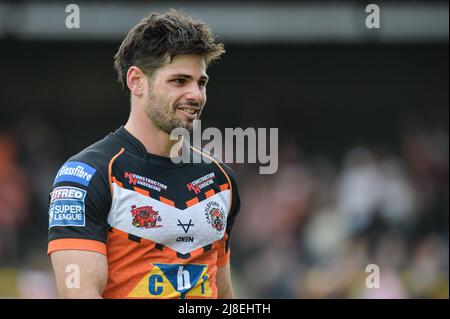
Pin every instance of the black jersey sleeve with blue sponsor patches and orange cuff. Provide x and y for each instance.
(79, 203)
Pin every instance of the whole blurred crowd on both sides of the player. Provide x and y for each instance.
(308, 231)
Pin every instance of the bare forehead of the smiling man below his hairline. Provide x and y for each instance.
(189, 64)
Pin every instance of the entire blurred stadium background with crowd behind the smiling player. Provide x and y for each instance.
(363, 137)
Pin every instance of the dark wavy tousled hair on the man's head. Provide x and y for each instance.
(161, 36)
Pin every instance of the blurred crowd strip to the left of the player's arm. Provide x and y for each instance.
(28, 164)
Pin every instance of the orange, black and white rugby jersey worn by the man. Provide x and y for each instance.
(164, 227)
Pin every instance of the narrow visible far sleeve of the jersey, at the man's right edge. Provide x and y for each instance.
(224, 250)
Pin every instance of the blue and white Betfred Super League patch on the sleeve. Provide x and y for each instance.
(67, 207)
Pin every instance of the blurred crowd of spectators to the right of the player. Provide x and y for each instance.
(311, 230)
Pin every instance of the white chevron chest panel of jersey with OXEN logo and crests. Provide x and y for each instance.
(183, 230)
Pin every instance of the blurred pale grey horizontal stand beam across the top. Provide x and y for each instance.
(248, 23)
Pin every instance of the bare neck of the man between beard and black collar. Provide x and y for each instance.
(154, 139)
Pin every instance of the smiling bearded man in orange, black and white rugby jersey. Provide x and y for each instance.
(124, 216)
